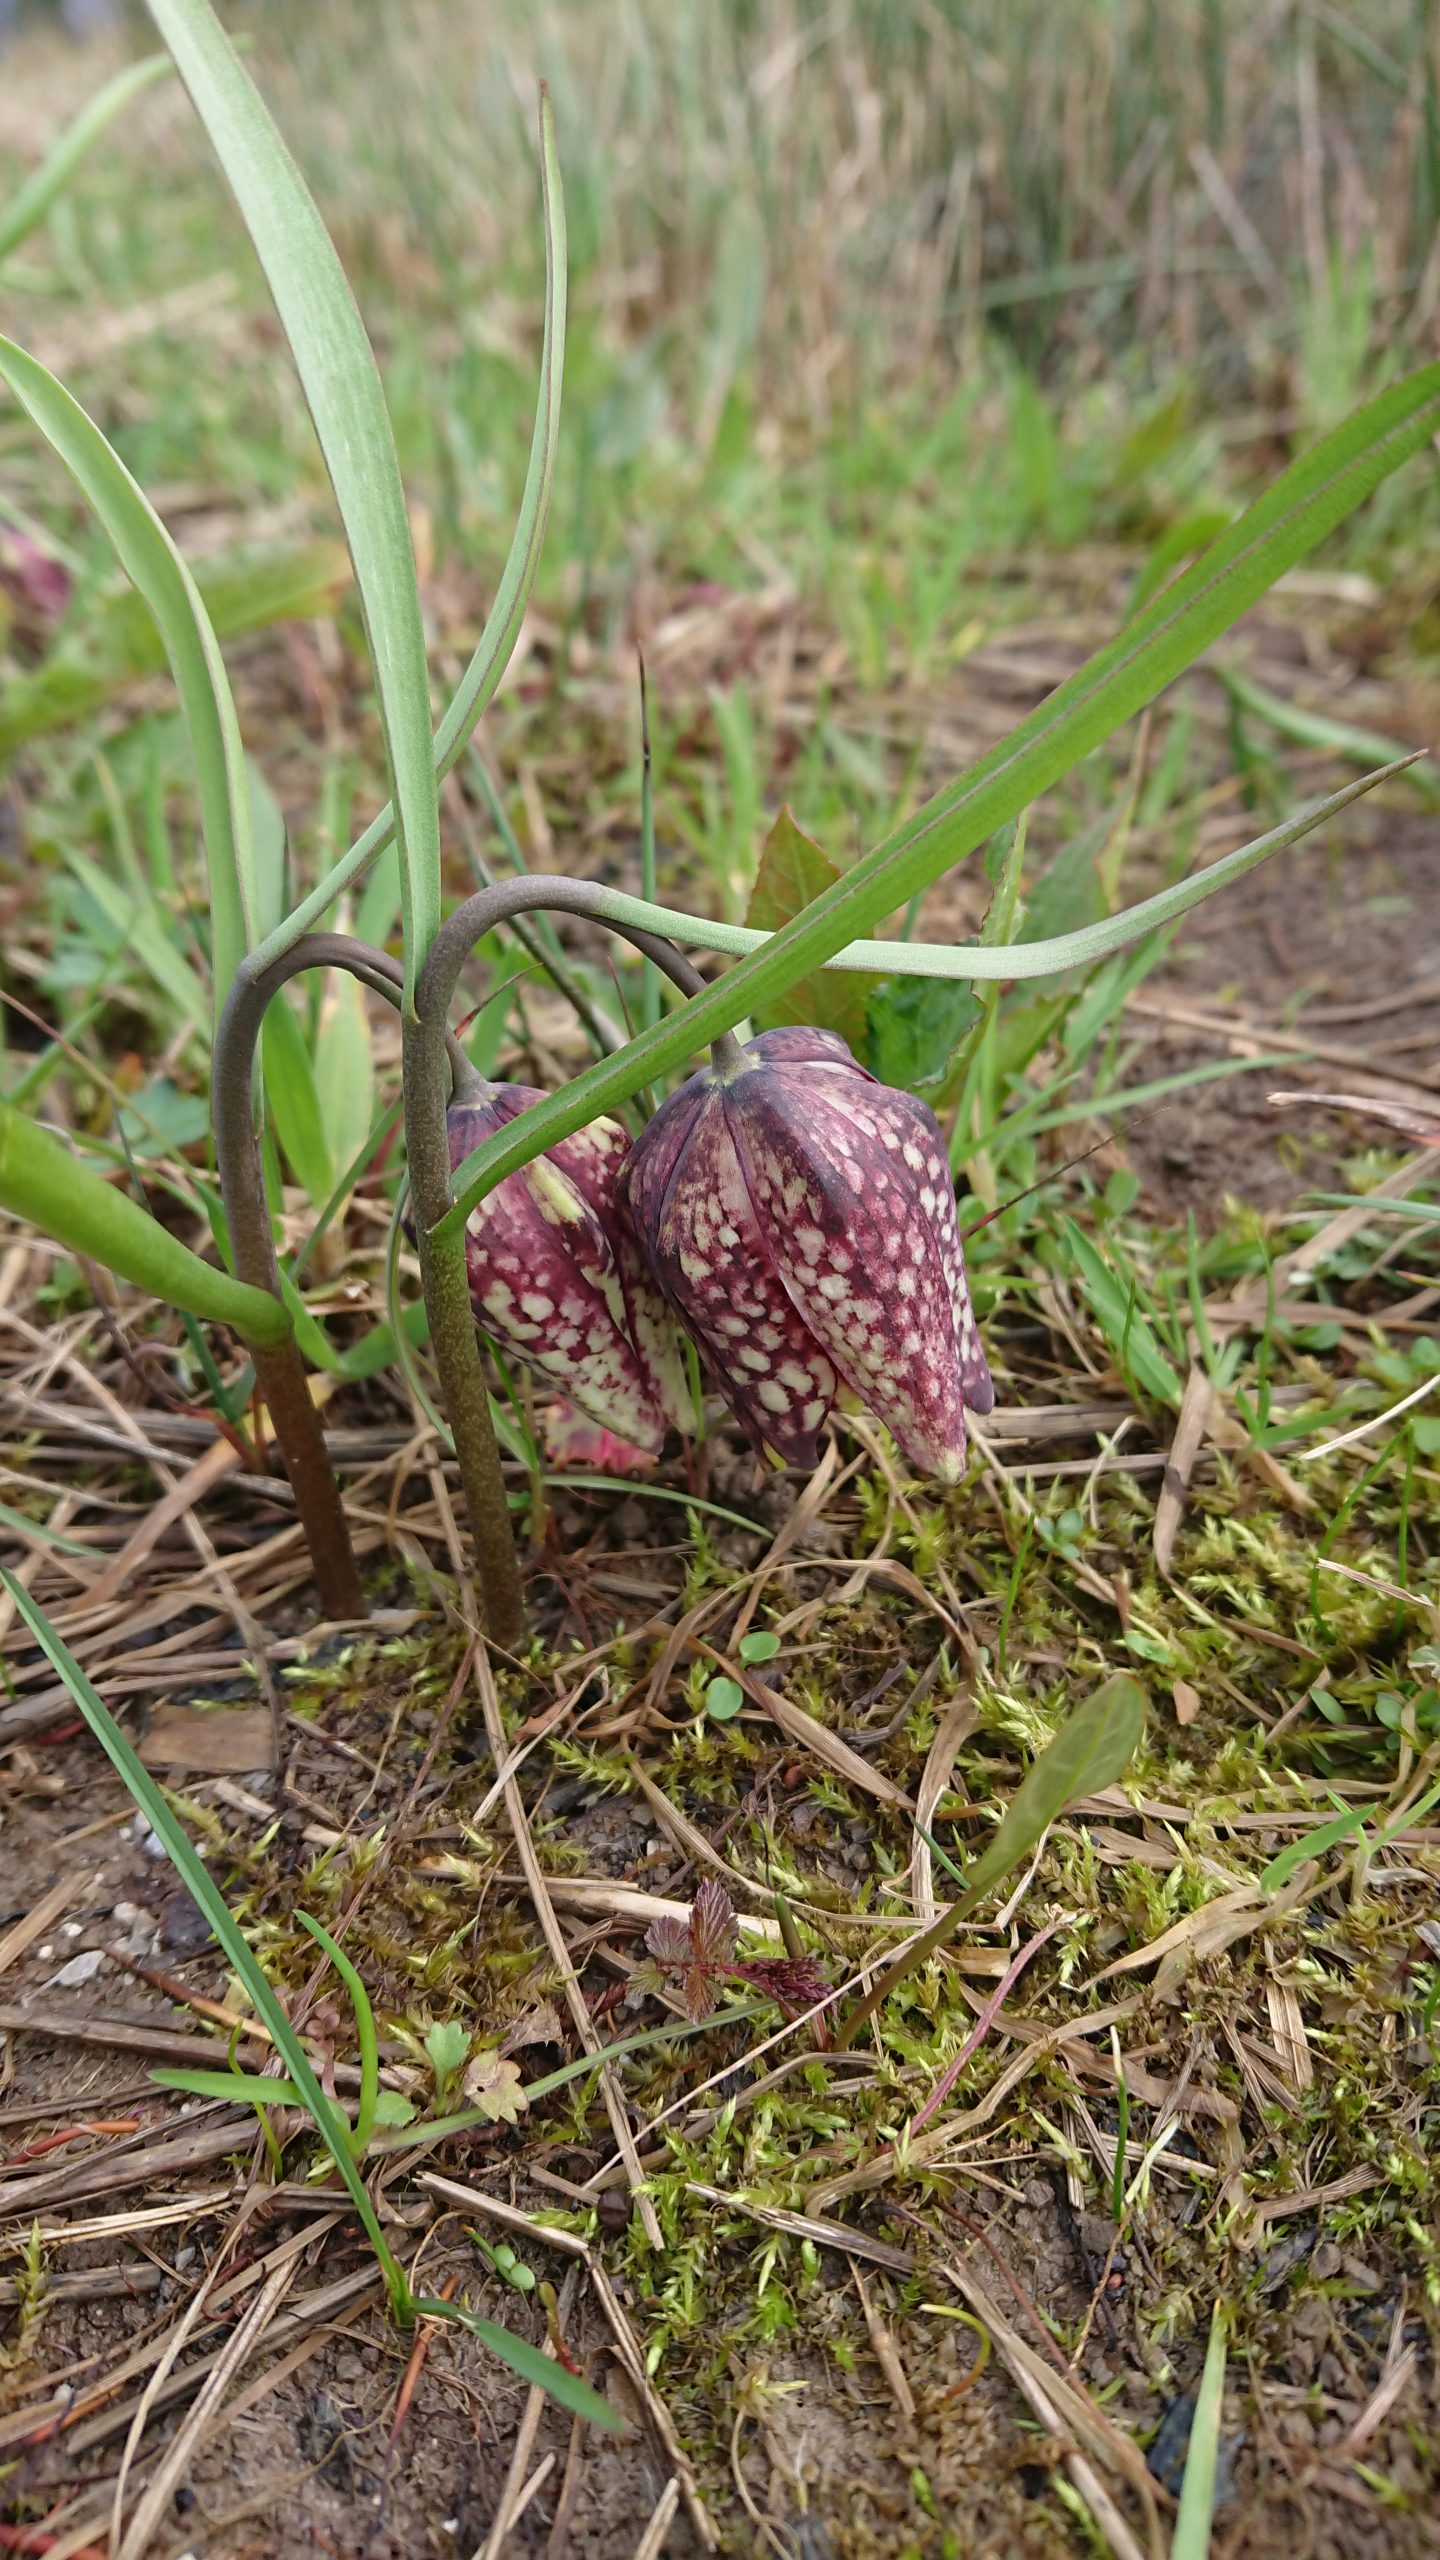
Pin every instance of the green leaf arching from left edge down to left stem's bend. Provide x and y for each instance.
(160, 575)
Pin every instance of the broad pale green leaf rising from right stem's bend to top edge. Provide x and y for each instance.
(347, 403)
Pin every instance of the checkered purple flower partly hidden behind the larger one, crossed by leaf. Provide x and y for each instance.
(557, 1276)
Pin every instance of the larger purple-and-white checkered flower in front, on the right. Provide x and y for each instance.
(803, 1225)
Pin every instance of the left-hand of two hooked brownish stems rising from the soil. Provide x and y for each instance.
(281, 1373)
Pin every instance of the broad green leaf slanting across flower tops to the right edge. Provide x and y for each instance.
(1308, 500)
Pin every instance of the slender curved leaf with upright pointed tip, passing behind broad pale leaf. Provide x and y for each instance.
(496, 644)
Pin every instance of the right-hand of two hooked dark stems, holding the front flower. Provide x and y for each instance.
(445, 1263)
